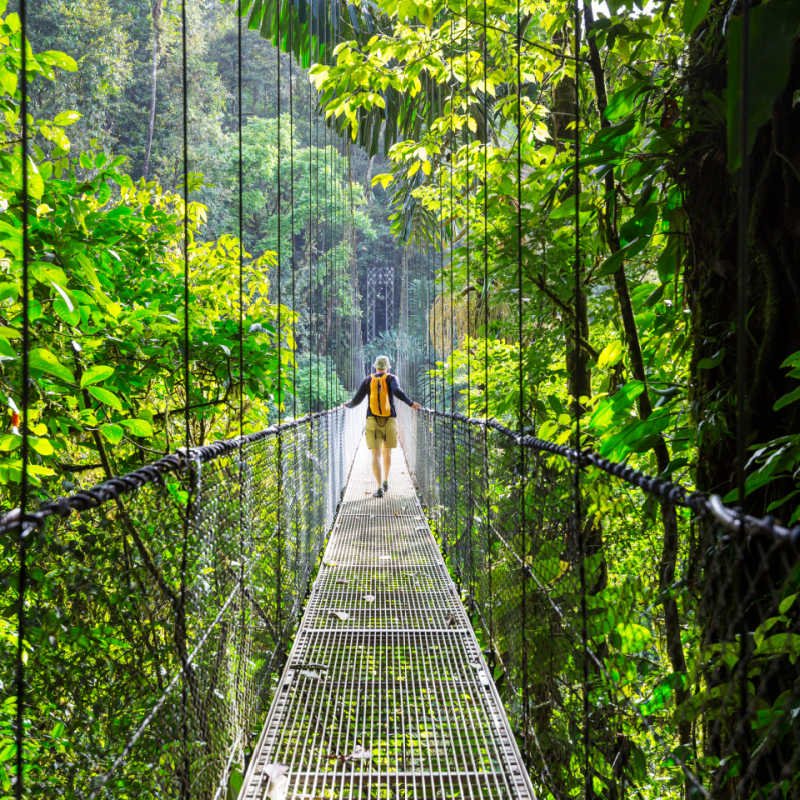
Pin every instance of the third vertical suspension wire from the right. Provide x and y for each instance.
(521, 373)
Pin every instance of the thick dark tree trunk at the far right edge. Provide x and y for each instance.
(744, 579)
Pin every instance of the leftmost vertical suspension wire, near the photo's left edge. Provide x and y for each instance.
(22, 543)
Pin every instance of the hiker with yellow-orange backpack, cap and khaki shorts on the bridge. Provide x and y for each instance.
(381, 431)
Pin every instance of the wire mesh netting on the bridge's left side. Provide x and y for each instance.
(150, 661)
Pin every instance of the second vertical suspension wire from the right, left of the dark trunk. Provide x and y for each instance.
(577, 407)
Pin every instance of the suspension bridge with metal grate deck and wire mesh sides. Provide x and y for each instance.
(372, 682)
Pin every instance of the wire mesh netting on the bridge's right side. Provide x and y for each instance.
(639, 650)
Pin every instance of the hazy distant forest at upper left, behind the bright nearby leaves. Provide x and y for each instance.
(128, 89)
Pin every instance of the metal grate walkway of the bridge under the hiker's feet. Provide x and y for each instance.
(386, 693)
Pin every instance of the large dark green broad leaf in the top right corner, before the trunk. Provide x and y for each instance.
(774, 27)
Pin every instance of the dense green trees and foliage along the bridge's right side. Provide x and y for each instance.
(565, 159)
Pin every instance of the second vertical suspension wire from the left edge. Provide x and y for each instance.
(186, 776)
